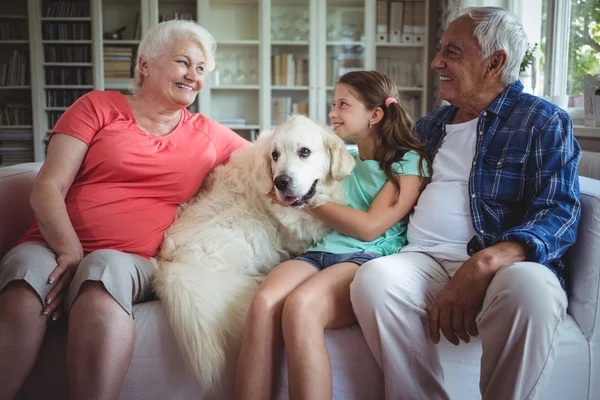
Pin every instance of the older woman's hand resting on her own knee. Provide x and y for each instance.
(63, 274)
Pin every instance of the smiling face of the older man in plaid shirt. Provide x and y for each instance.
(460, 67)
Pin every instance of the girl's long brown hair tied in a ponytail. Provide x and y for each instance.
(396, 138)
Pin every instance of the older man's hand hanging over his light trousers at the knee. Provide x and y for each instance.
(458, 303)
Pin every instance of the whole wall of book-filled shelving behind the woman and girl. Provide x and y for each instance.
(274, 57)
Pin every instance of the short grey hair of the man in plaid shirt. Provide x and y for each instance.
(499, 29)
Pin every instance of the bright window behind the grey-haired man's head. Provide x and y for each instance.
(566, 43)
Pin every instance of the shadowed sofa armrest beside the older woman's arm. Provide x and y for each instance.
(15, 212)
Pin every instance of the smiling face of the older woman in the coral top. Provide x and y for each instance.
(177, 75)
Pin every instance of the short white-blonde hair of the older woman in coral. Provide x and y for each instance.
(159, 37)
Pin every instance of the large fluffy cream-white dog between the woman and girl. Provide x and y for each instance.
(232, 233)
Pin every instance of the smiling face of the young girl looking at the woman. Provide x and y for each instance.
(348, 114)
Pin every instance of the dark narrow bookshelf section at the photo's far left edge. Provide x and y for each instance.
(16, 119)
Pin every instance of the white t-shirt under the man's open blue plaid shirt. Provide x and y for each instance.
(441, 223)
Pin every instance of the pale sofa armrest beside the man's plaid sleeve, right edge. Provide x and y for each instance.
(583, 261)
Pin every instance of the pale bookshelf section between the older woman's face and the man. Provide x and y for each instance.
(303, 46)
